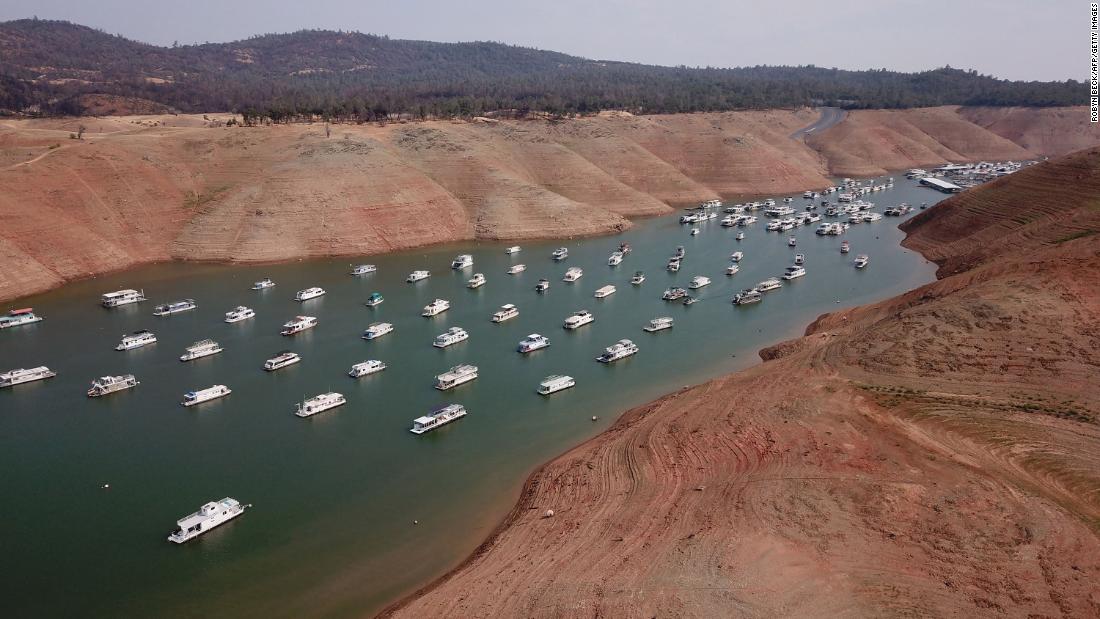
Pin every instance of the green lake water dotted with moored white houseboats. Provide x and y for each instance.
(332, 533)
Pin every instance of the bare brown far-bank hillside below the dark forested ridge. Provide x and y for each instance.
(140, 190)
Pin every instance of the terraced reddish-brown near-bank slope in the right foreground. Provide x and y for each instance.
(934, 455)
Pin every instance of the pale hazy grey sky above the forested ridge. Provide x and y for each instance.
(1011, 39)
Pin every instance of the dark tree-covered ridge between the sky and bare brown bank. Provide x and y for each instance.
(51, 68)
